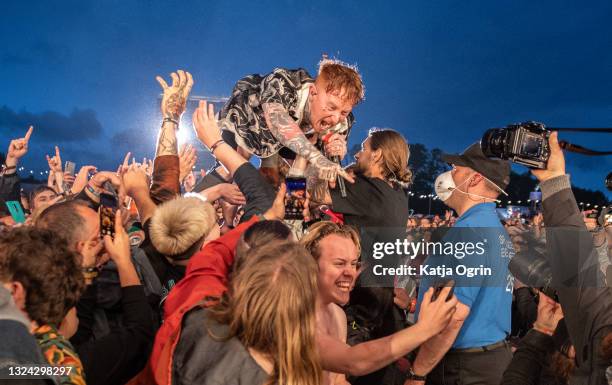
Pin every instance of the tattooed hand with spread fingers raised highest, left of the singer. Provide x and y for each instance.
(174, 100)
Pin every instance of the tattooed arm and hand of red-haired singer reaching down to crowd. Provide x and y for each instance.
(286, 130)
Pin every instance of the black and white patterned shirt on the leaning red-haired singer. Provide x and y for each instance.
(243, 113)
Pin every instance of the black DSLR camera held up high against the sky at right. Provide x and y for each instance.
(524, 143)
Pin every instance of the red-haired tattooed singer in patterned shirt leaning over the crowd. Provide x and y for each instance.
(288, 109)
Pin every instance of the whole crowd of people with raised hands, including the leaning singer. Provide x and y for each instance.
(150, 275)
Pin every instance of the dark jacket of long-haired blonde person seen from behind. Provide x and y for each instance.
(201, 359)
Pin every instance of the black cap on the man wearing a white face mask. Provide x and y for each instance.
(496, 170)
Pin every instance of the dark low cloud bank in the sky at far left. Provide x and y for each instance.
(52, 126)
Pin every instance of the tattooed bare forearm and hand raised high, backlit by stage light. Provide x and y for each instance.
(174, 102)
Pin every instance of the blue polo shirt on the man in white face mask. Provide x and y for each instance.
(489, 297)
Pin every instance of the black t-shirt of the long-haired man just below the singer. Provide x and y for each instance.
(380, 213)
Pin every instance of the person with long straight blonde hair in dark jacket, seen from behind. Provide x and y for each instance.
(263, 332)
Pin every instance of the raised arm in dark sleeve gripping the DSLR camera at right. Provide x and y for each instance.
(586, 303)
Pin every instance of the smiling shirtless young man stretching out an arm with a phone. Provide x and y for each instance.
(336, 249)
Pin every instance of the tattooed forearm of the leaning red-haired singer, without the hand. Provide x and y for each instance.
(286, 130)
